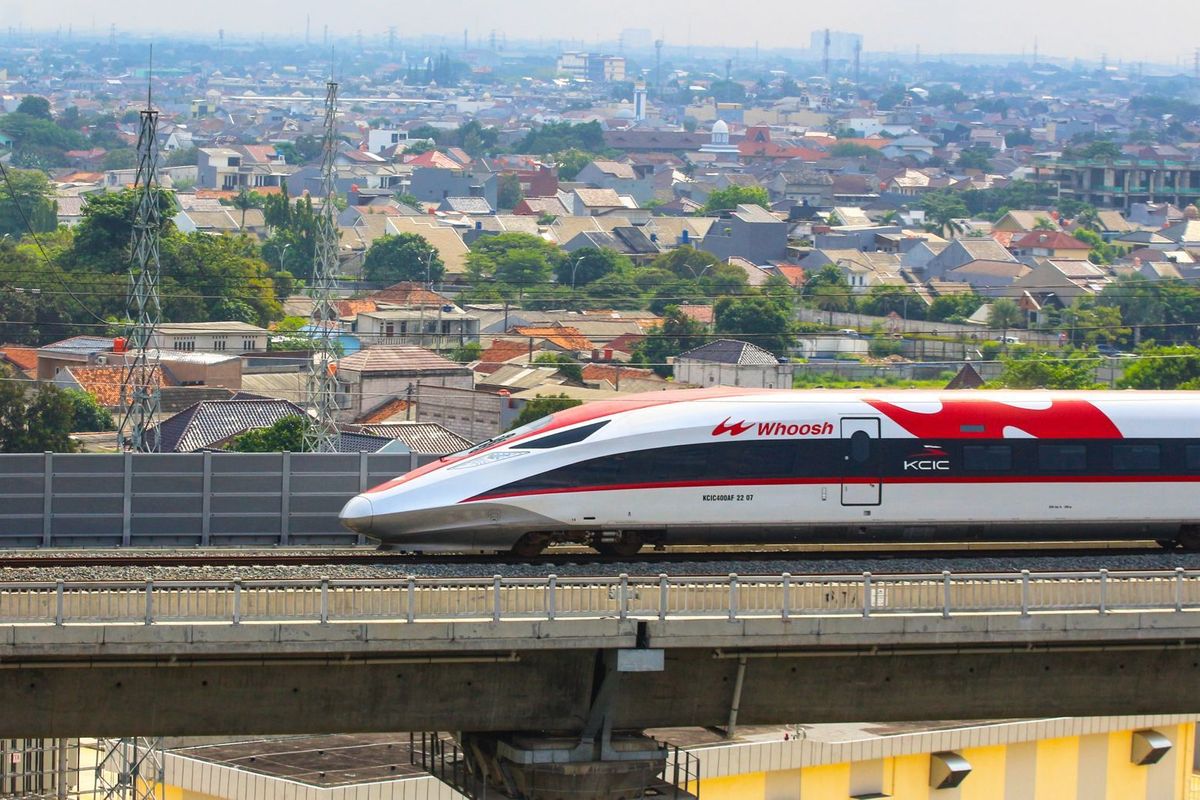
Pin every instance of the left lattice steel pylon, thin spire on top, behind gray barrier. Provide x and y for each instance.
(141, 388)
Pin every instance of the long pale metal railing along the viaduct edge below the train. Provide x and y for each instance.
(500, 599)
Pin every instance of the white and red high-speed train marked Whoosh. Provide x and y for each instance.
(735, 466)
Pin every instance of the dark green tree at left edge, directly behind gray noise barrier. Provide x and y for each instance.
(38, 422)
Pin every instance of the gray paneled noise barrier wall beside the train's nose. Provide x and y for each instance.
(185, 500)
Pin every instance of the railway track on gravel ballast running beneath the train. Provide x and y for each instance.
(578, 556)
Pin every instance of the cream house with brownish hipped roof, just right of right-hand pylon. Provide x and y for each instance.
(377, 375)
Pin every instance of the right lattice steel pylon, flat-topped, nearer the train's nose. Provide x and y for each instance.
(321, 399)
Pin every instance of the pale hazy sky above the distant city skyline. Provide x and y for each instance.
(1154, 31)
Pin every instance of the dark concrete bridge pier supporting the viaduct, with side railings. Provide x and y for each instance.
(597, 765)
